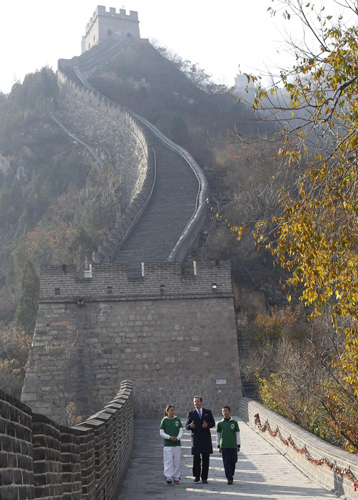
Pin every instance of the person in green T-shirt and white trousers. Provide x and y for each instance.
(171, 430)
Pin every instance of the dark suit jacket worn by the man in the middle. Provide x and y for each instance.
(200, 436)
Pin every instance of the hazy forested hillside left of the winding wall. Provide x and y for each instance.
(45, 185)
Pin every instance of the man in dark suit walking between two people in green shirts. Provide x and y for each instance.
(199, 422)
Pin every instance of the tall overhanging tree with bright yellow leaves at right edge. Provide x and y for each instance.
(316, 237)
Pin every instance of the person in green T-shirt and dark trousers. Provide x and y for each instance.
(228, 434)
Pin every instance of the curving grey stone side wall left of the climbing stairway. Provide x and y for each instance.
(112, 130)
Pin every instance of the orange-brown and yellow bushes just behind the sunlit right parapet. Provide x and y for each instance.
(290, 359)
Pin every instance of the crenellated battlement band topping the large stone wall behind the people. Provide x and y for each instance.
(112, 282)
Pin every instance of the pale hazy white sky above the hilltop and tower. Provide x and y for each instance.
(220, 36)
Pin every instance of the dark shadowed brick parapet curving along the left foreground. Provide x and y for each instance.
(42, 459)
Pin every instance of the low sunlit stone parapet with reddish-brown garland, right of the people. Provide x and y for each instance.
(332, 467)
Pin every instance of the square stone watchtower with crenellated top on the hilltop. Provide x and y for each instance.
(104, 26)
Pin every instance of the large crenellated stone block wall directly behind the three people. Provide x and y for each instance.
(172, 334)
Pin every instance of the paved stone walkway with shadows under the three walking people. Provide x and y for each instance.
(261, 471)
